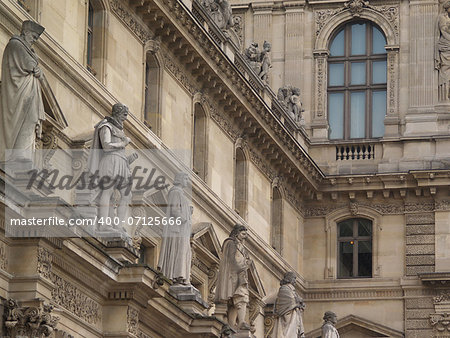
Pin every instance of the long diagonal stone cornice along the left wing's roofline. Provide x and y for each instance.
(187, 40)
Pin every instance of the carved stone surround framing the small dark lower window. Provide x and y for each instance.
(331, 221)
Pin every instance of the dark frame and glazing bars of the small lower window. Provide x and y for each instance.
(355, 239)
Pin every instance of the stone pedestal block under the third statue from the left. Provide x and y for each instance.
(189, 298)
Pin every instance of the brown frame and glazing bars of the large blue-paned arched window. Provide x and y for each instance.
(347, 88)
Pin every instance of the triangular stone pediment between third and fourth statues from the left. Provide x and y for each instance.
(204, 237)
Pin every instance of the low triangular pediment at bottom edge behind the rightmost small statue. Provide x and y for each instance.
(356, 327)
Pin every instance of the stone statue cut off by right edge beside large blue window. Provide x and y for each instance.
(442, 49)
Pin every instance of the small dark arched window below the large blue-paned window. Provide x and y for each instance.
(354, 248)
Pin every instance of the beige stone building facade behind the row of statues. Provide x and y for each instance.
(353, 197)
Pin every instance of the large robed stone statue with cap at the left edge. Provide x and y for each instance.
(22, 107)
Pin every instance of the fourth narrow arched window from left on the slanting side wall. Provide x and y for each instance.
(240, 183)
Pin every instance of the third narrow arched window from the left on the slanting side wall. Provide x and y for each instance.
(199, 153)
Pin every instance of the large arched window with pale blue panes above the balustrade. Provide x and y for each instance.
(357, 82)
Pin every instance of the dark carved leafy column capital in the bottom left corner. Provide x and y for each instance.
(33, 321)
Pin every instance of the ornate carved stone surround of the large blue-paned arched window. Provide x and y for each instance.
(321, 51)
